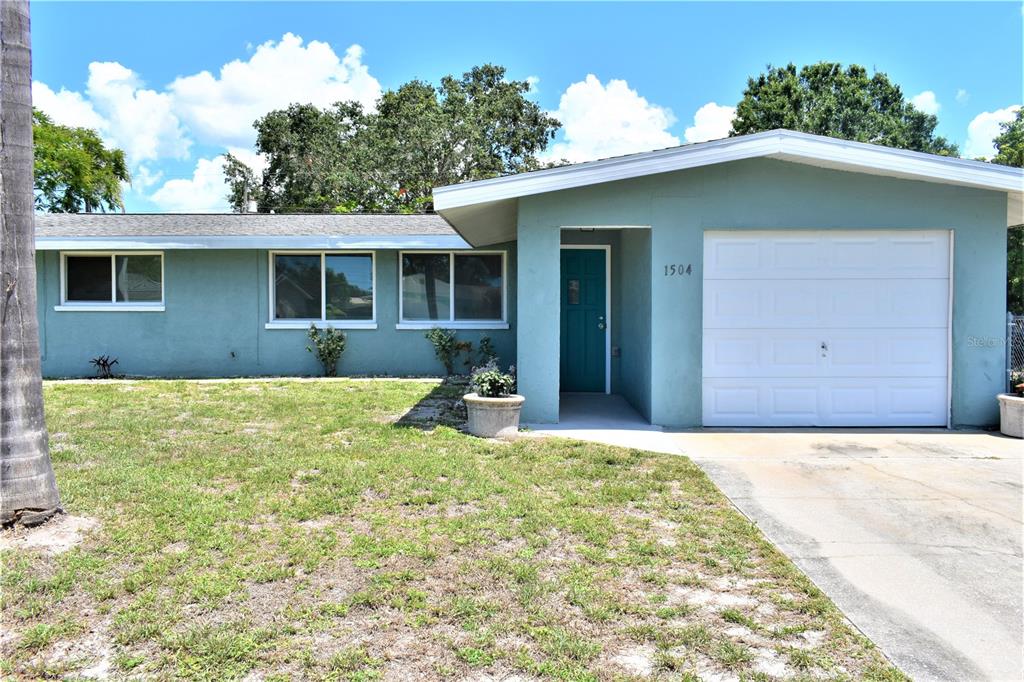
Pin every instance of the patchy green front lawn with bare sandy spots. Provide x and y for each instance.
(307, 530)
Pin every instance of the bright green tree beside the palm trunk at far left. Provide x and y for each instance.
(73, 169)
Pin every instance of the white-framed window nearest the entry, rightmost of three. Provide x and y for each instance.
(453, 288)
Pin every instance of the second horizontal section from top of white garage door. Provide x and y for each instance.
(826, 304)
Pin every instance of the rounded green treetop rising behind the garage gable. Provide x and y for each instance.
(827, 100)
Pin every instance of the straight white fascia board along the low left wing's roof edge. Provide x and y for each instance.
(178, 243)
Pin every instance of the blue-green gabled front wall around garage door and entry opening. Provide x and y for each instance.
(758, 195)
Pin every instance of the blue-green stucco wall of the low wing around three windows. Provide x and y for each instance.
(216, 306)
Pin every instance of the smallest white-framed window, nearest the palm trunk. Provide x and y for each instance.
(132, 280)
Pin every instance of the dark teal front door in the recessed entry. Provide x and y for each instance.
(584, 347)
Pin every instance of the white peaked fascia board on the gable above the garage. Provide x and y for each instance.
(786, 145)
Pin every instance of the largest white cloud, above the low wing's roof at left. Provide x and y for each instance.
(219, 111)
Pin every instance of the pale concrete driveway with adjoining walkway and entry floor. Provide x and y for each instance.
(917, 536)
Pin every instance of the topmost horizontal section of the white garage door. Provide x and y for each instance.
(810, 254)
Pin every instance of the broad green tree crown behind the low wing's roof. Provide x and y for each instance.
(346, 159)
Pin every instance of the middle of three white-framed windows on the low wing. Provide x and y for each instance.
(322, 287)
